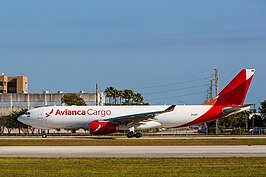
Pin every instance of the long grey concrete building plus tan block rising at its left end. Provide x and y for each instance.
(14, 96)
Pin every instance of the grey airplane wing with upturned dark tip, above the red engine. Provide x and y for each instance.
(136, 118)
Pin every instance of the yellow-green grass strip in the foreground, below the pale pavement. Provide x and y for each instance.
(220, 167)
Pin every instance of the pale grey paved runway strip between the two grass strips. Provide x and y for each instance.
(132, 151)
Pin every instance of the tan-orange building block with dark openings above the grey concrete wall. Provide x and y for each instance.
(17, 84)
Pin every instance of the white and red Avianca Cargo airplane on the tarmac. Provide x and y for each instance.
(101, 120)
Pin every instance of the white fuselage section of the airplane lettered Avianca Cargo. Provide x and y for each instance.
(76, 117)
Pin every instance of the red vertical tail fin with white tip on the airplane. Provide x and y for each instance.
(235, 92)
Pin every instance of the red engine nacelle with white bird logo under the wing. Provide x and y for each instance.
(102, 128)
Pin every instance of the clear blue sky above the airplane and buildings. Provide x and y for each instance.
(165, 49)
